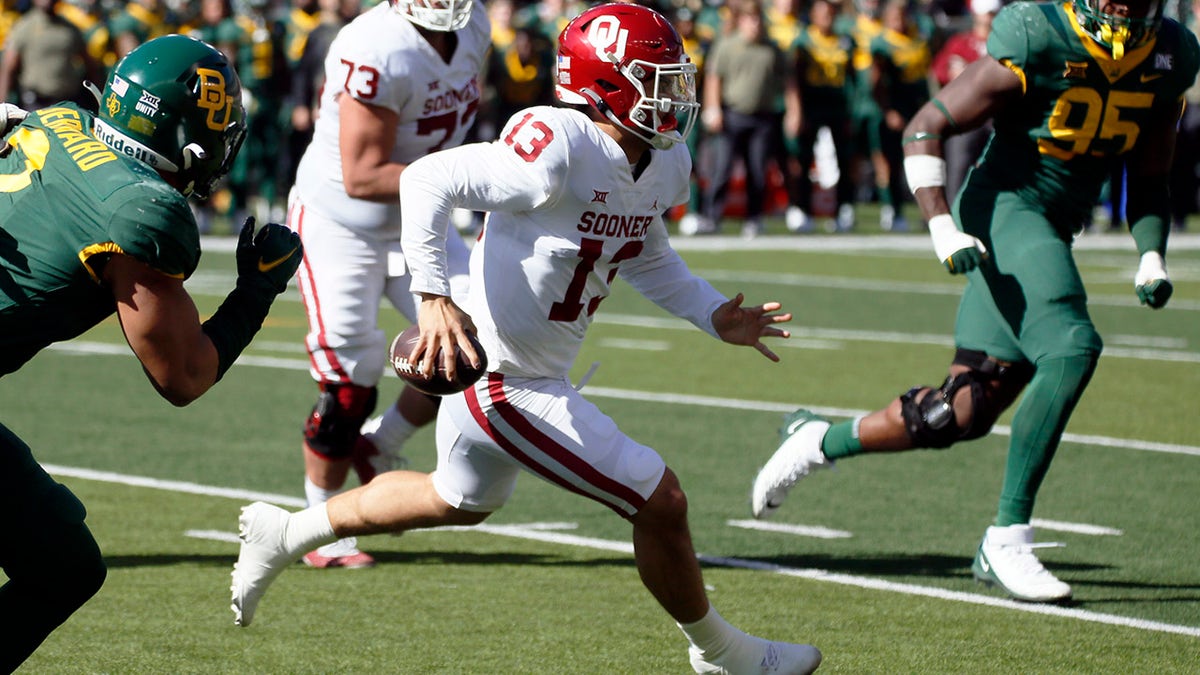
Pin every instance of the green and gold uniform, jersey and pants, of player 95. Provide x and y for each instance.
(1034, 190)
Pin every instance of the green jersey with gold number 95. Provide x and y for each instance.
(1083, 109)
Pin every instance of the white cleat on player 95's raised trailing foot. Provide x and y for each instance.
(799, 455)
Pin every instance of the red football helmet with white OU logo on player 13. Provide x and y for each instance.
(628, 63)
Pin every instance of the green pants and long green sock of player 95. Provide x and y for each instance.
(1028, 303)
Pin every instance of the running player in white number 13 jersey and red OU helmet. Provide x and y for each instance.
(575, 198)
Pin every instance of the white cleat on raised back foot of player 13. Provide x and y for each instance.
(261, 528)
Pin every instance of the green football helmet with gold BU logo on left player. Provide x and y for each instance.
(175, 104)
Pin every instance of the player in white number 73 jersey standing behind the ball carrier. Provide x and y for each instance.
(401, 81)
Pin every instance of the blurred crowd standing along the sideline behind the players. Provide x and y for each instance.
(803, 100)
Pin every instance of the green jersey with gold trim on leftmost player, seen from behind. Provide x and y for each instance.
(68, 202)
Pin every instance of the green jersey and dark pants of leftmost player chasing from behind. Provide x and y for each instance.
(68, 202)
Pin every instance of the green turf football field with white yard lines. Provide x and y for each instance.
(871, 563)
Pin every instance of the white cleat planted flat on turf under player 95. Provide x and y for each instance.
(1006, 559)
